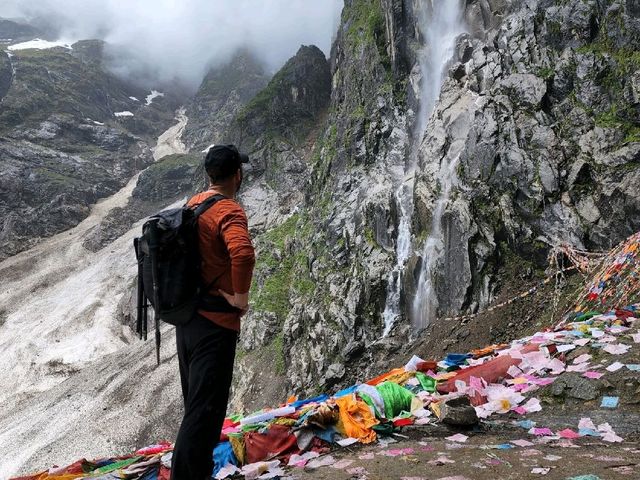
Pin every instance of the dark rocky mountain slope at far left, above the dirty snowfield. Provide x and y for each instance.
(70, 134)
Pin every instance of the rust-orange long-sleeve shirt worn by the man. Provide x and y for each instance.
(226, 251)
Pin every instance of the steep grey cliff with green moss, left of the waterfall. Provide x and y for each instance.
(318, 285)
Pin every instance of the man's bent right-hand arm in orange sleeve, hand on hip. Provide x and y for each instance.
(234, 230)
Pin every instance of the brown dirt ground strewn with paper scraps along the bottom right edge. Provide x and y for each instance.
(425, 457)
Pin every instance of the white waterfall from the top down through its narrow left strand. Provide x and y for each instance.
(440, 23)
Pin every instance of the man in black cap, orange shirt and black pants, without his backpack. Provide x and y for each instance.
(206, 344)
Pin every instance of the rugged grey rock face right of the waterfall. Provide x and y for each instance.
(550, 144)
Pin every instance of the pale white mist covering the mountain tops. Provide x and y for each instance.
(179, 40)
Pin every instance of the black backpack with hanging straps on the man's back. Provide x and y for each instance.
(169, 269)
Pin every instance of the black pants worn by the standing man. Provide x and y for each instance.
(205, 354)
